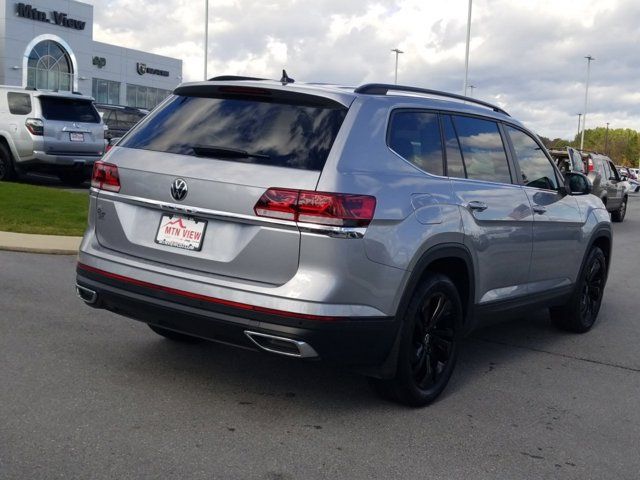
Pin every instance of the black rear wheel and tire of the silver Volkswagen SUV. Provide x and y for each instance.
(428, 346)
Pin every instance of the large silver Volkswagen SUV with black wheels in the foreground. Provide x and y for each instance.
(368, 227)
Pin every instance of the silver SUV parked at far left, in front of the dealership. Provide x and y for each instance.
(60, 133)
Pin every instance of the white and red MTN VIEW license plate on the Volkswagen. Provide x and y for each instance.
(174, 231)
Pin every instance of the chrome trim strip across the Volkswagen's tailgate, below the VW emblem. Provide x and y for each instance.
(330, 231)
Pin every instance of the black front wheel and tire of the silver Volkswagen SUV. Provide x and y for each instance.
(581, 312)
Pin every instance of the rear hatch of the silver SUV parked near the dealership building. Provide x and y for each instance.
(72, 126)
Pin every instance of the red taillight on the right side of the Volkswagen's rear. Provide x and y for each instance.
(336, 209)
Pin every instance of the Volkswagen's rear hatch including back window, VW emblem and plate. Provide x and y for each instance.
(227, 145)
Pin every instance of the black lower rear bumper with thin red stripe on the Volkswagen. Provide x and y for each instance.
(357, 342)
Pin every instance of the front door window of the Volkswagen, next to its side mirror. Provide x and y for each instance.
(535, 168)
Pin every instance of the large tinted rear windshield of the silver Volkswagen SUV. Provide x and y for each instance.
(268, 132)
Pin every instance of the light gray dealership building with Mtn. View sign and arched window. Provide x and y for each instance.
(48, 45)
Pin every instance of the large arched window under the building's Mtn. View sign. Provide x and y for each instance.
(49, 67)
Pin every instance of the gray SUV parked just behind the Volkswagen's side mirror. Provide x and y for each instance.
(605, 179)
